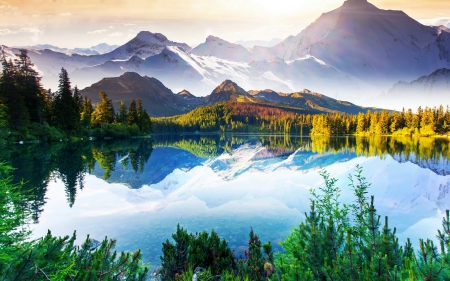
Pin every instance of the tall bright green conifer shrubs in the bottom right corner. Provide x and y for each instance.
(348, 242)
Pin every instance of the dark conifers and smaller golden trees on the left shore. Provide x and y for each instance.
(29, 111)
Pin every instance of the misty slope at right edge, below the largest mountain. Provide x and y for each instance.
(428, 90)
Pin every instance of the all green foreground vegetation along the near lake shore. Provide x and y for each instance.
(334, 242)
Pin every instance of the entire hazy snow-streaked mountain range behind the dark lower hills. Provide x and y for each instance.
(355, 52)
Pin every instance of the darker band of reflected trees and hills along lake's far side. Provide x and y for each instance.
(137, 162)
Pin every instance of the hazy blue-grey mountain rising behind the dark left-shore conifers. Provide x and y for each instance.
(95, 67)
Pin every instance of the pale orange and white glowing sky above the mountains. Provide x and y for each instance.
(85, 23)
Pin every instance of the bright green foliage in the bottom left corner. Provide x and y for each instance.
(54, 258)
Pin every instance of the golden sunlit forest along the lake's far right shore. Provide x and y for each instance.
(243, 117)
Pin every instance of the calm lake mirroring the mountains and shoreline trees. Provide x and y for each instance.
(138, 190)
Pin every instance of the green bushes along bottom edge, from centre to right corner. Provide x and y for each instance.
(335, 242)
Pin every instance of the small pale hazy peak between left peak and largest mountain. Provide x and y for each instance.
(222, 49)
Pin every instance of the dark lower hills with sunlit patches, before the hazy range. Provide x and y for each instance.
(160, 101)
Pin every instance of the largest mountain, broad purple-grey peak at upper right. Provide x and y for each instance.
(377, 46)
